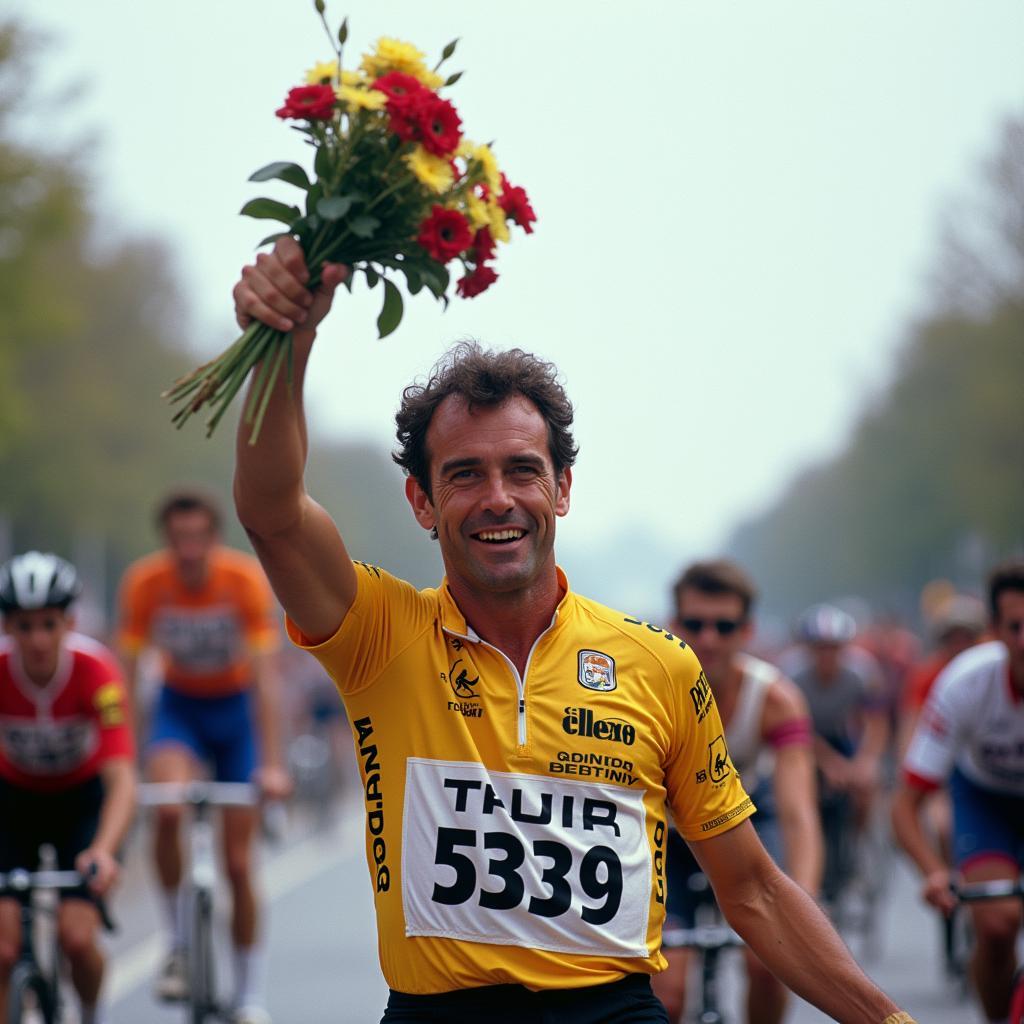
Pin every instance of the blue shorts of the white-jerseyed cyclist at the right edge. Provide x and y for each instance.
(987, 825)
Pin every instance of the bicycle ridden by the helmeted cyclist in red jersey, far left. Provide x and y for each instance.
(35, 980)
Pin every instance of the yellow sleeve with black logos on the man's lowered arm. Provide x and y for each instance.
(705, 791)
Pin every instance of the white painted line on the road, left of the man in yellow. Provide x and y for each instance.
(293, 869)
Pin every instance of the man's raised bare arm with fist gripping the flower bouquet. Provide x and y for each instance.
(297, 542)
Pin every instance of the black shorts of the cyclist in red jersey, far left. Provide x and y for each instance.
(67, 820)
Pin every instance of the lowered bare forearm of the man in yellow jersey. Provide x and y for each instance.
(788, 931)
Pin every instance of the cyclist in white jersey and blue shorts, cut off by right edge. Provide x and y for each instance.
(970, 738)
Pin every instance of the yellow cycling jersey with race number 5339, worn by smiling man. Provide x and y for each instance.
(517, 828)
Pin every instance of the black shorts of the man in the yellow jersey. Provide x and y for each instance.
(629, 1001)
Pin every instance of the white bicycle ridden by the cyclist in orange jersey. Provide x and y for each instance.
(201, 797)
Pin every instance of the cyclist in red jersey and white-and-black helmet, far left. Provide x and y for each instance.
(67, 760)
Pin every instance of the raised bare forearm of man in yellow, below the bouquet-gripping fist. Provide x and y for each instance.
(269, 475)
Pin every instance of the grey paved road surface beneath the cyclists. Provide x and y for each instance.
(323, 963)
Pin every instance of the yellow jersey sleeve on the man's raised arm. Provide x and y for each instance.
(386, 617)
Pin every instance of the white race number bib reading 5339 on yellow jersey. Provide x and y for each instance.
(525, 861)
